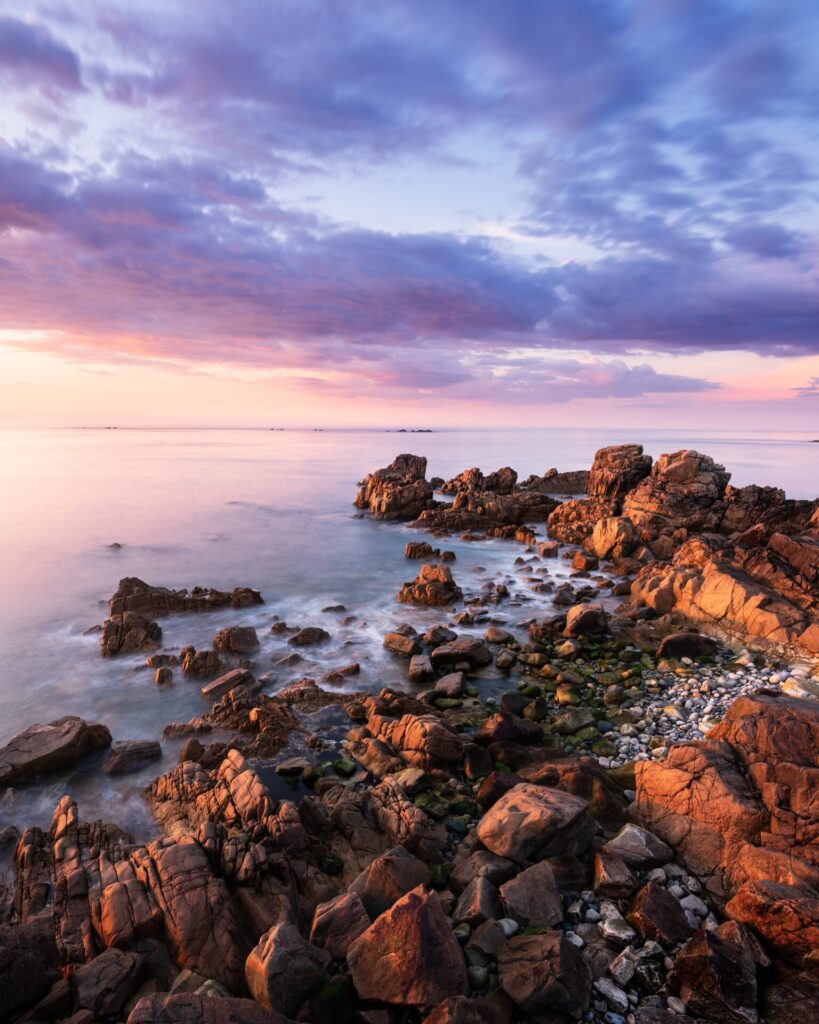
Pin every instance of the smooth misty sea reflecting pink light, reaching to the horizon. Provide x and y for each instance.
(267, 509)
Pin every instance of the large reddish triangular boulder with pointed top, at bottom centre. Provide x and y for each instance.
(409, 956)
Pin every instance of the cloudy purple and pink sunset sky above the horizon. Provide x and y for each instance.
(411, 214)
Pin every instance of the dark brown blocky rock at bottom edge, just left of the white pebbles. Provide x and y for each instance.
(545, 973)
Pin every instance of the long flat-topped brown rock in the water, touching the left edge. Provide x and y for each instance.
(42, 750)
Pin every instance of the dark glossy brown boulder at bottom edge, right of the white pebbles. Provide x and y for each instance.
(717, 979)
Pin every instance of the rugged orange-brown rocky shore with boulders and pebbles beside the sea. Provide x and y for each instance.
(608, 815)
